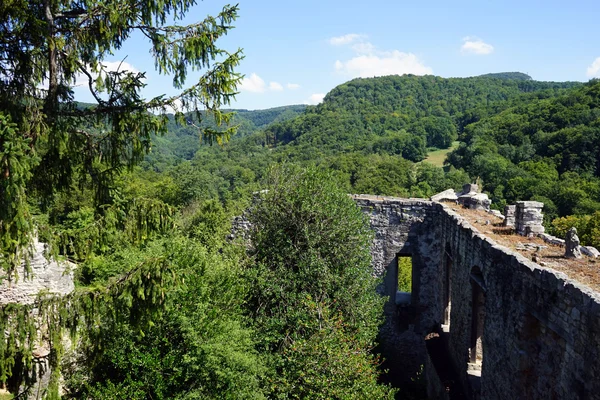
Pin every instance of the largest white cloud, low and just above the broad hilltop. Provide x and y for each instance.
(383, 63)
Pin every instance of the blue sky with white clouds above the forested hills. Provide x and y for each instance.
(296, 51)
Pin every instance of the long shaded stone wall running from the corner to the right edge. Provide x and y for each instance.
(541, 332)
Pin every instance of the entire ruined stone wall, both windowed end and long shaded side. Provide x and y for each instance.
(539, 330)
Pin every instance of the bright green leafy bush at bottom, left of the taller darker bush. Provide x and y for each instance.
(198, 347)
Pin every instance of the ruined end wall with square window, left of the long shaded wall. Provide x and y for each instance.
(405, 227)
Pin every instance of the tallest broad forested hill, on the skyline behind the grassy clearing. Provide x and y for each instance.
(403, 115)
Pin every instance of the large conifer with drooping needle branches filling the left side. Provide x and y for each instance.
(52, 146)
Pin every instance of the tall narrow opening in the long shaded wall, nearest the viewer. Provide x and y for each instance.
(477, 320)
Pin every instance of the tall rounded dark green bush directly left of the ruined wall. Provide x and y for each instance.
(312, 294)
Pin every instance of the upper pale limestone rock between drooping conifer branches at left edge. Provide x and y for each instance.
(45, 275)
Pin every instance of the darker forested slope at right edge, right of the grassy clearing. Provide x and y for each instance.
(545, 149)
